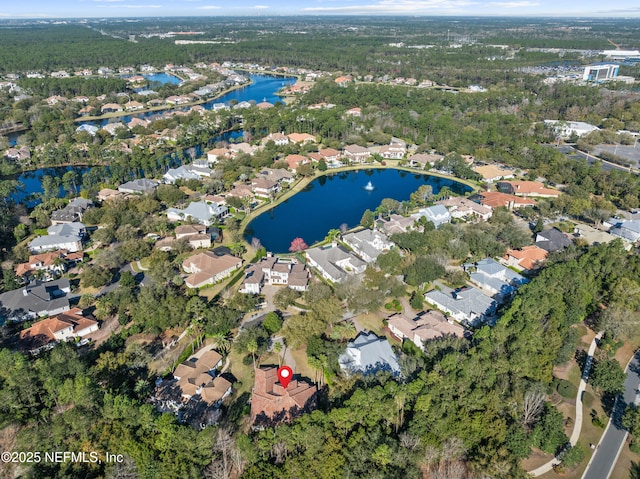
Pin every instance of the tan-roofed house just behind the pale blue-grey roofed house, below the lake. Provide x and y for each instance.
(426, 326)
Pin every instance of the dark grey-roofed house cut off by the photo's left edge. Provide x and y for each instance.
(36, 299)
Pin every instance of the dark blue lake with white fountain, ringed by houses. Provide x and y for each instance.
(334, 199)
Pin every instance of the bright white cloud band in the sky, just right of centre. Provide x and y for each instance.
(398, 7)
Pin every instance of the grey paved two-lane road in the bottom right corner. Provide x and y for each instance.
(613, 440)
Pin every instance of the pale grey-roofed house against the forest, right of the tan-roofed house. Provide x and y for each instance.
(467, 305)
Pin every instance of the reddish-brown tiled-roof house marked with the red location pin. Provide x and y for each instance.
(272, 403)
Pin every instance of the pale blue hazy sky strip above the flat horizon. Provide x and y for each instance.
(140, 8)
